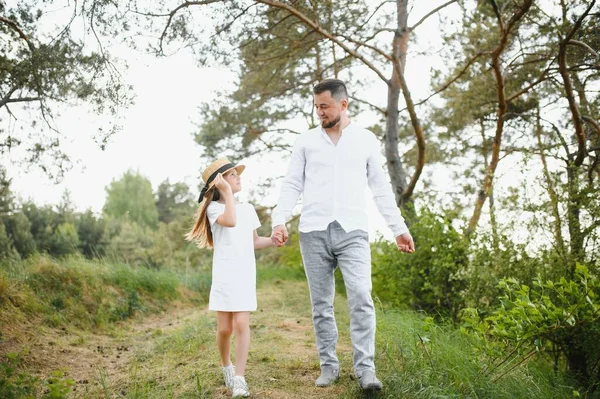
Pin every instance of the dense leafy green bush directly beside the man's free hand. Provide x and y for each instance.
(432, 278)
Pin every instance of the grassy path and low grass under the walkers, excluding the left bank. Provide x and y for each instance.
(415, 357)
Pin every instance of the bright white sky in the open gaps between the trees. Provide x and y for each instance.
(157, 132)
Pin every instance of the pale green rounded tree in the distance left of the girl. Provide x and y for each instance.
(131, 198)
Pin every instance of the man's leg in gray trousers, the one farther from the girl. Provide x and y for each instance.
(354, 256)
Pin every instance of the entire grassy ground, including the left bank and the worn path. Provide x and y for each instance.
(174, 355)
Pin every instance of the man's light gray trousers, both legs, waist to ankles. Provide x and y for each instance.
(322, 252)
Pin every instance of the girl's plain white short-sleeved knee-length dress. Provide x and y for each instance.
(233, 287)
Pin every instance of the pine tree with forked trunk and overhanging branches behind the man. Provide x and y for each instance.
(281, 50)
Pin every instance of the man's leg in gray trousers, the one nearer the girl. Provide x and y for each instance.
(319, 265)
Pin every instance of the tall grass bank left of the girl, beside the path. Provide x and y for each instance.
(91, 294)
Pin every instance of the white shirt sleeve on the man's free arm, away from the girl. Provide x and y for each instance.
(382, 191)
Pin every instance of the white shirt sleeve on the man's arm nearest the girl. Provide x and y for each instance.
(292, 186)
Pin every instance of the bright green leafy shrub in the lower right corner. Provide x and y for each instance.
(555, 316)
